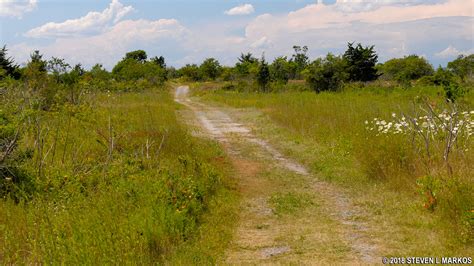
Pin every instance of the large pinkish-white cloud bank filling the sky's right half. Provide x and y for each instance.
(396, 29)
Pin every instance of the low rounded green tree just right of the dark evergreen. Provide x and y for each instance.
(406, 69)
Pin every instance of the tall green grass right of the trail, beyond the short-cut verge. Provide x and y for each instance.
(333, 125)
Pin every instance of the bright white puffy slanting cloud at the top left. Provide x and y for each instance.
(93, 22)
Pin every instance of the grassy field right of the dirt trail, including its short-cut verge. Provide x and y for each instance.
(418, 204)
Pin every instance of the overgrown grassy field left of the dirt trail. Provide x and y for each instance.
(115, 179)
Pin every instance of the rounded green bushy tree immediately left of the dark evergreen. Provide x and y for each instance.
(326, 74)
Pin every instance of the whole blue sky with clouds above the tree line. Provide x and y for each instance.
(188, 31)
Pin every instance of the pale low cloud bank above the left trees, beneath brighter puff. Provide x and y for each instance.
(110, 46)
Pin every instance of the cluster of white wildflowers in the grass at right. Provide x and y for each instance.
(432, 124)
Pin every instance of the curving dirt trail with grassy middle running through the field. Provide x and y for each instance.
(323, 228)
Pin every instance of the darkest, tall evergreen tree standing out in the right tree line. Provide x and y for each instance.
(361, 62)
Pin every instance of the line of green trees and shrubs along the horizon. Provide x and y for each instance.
(329, 73)
